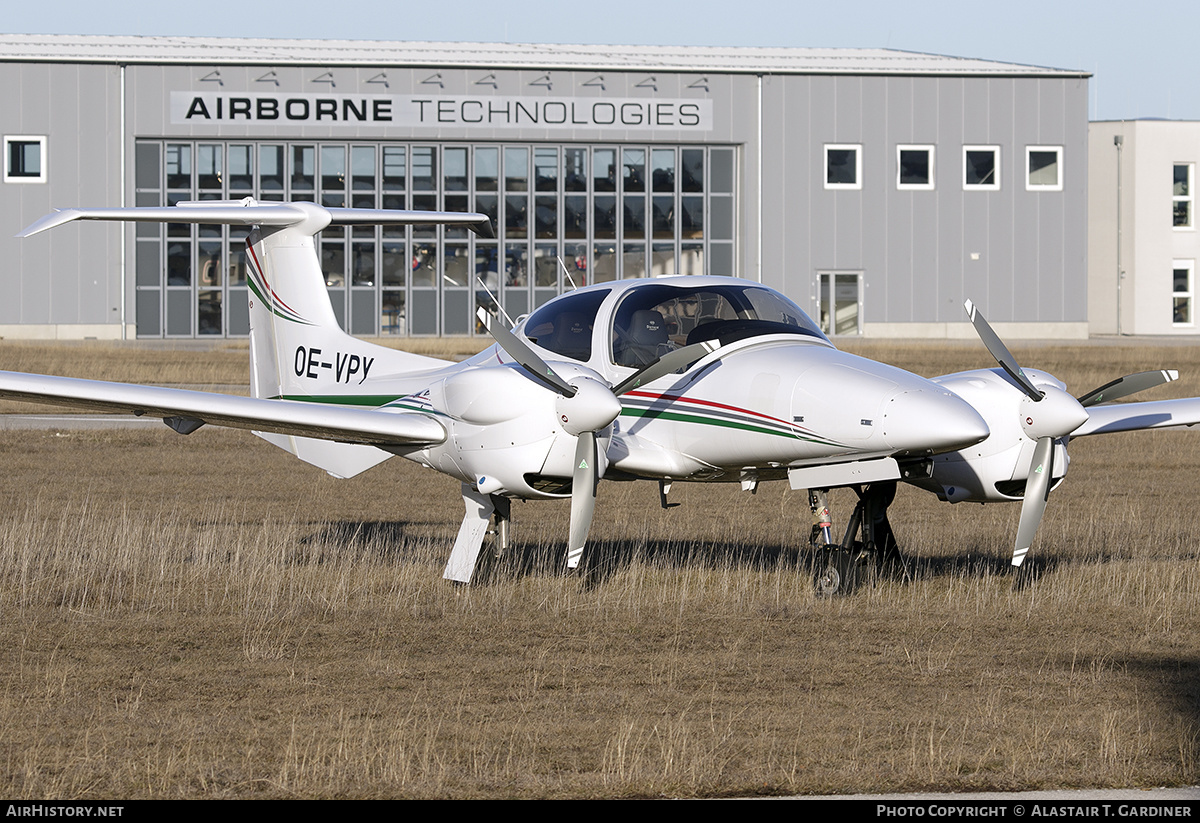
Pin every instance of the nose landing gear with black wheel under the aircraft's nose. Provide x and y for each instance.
(841, 568)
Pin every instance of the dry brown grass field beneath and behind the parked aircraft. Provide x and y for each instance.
(206, 617)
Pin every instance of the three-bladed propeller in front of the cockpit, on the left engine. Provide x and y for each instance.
(587, 407)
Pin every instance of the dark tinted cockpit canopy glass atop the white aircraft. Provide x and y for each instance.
(656, 319)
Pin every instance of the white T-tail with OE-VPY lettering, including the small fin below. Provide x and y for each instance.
(297, 350)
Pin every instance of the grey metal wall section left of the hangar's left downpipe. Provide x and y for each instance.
(74, 277)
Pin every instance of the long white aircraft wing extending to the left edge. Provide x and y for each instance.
(188, 411)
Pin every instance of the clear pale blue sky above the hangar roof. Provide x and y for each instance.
(1142, 55)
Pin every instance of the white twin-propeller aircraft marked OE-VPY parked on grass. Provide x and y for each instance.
(670, 380)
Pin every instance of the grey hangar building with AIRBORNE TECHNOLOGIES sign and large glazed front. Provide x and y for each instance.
(878, 189)
